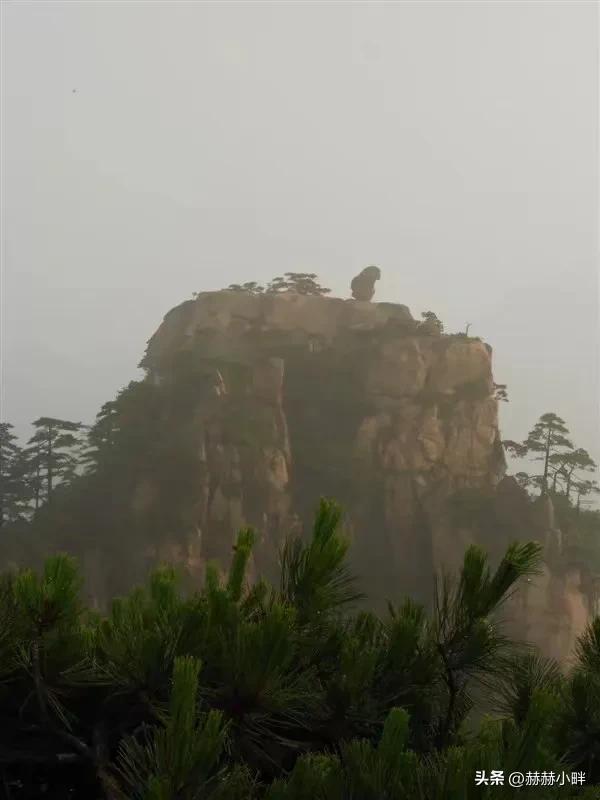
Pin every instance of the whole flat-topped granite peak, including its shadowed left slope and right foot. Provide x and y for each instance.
(254, 405)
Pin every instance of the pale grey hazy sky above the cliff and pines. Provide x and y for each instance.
(153, 149)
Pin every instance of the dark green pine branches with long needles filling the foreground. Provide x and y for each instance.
(245, 691)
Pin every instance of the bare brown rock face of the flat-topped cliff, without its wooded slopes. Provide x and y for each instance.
(301, 396)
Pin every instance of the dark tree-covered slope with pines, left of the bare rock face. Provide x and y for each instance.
(74, 483)
